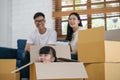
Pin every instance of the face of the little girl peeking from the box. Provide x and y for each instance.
(46, 58)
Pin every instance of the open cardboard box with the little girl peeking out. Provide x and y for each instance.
(55, 70)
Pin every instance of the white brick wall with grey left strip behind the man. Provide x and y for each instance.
(20, 20)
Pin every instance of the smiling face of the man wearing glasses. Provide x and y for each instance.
(39, 22)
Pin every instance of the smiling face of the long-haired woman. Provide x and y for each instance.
(73, 21)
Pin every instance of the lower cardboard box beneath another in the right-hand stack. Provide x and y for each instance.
(103, 71)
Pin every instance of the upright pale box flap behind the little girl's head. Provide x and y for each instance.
(61, 51)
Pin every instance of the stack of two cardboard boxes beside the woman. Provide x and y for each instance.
(101, 57)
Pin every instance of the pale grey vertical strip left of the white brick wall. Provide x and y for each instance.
(5, 23)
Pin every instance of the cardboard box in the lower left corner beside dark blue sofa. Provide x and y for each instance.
(6, 66)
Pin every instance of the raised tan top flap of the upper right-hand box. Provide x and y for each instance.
(91, 35)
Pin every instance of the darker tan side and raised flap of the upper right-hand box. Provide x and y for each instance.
(91, 43)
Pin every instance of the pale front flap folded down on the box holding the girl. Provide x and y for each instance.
(60, 70)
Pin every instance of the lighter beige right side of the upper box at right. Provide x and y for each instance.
(112, 51)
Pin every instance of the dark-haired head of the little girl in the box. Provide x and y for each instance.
(47, 54)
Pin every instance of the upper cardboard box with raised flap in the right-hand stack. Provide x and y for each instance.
(93, 48)
